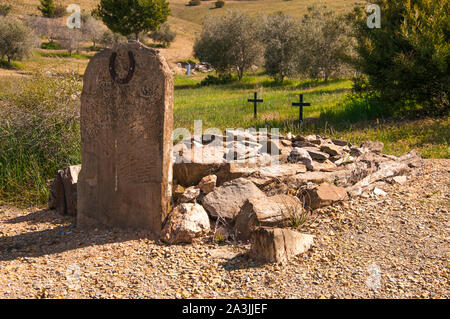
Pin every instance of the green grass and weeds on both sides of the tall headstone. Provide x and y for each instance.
(47, 138)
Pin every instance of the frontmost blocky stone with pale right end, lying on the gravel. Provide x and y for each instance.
(278, 245)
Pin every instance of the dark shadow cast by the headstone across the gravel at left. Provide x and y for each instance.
(64, 237)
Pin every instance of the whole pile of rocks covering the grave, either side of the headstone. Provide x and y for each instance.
(253, 186)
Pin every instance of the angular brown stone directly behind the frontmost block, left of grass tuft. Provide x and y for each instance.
(274, 211)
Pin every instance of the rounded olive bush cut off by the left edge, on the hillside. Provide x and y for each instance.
(16, 39)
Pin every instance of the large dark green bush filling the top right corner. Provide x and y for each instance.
(407, 58)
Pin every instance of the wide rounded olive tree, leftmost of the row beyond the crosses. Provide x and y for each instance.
(230, 42)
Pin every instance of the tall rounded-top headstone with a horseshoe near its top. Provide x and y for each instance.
(126, 136)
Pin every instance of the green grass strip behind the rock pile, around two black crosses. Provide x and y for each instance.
(226, 106)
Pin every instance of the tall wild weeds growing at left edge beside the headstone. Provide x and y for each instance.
(39, 134)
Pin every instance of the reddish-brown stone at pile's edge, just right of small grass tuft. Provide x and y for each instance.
(323, 195)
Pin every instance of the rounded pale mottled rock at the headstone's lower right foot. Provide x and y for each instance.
(184, 223)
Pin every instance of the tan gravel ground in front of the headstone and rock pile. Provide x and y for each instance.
(394, 246)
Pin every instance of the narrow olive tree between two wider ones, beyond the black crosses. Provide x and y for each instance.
(282, 42)
